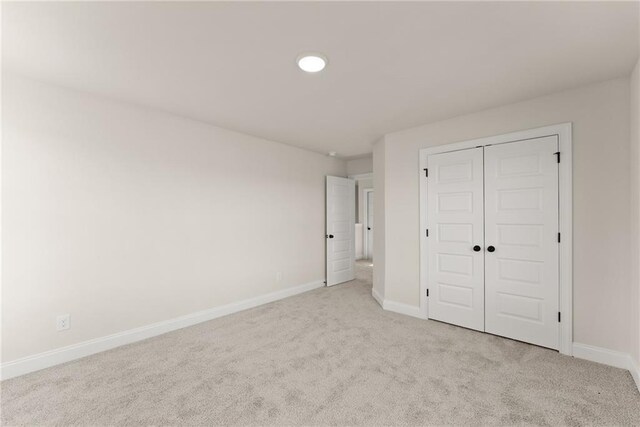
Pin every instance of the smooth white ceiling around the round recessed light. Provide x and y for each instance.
(391, 65)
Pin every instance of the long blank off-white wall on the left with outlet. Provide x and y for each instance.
(123, 216)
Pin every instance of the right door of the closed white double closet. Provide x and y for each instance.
(521, 238)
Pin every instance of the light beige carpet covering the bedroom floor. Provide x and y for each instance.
(329, 356)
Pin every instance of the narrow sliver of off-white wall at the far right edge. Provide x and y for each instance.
(634, 158)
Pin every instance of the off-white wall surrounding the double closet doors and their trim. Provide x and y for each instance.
(600, 116)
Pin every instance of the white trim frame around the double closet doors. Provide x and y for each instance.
(565, 207)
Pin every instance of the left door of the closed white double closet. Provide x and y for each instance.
(455, 218)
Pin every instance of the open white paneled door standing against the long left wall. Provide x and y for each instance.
(340, 234)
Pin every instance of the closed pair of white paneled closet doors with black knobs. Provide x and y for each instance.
(504, 199)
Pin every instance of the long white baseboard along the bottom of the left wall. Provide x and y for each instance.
(76, 351)
